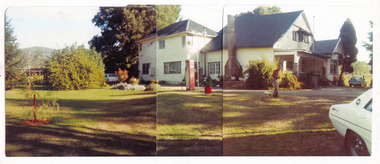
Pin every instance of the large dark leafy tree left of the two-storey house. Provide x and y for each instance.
(120, 28)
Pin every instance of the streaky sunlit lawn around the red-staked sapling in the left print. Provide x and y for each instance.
(90, 122)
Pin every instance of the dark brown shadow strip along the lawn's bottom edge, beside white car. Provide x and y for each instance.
(321, 143)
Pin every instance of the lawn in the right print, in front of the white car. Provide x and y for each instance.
(257, 125)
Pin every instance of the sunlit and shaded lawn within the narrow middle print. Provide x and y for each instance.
(189, 123)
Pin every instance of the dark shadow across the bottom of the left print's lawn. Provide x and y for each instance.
(65, 141)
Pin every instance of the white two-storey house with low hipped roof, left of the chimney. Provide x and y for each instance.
(162, 55)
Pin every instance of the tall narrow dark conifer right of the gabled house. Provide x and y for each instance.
(348, 38)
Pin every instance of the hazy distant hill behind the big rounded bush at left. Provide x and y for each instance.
(36, 57)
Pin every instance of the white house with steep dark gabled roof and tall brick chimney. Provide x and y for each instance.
(284, 37)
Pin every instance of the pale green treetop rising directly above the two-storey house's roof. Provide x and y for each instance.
(167, 14)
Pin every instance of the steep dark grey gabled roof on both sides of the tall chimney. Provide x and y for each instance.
(256, 30)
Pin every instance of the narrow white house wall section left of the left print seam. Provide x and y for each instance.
(148, 55)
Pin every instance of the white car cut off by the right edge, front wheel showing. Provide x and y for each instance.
(354, 122)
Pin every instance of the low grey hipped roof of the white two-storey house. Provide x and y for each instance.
(182, 26)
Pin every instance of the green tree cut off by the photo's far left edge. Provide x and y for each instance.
(12, 56)
